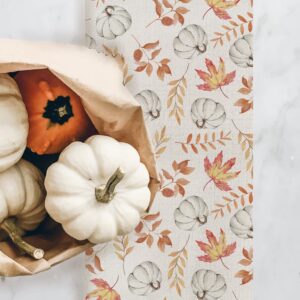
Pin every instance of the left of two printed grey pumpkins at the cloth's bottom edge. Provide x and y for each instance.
(145, 279)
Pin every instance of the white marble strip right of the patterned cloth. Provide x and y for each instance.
(277, 153)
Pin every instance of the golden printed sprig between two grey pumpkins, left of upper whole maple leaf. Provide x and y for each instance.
(176, 95)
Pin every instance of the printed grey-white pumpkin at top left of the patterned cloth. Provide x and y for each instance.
(113, 22)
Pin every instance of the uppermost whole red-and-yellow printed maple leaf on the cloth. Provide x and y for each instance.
(215, 79)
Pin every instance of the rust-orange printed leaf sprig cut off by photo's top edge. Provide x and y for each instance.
(173, 13)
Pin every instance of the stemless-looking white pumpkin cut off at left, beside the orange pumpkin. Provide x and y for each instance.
(13, 123)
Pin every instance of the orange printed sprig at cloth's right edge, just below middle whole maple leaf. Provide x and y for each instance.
(241, 197)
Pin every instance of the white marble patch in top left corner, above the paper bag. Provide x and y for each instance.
(54, 20)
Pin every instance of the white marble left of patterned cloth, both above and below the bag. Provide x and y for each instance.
(62, 21)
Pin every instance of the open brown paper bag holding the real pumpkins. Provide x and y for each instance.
(97, 79)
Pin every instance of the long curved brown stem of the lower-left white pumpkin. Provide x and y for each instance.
(13, 231)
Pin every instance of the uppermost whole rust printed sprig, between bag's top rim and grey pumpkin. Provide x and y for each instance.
(145, 57)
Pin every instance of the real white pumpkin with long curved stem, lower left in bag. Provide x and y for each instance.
(22, 196)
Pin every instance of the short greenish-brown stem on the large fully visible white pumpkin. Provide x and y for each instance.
(105, 194)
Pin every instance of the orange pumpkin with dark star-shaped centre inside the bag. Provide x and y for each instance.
(56, 115)
